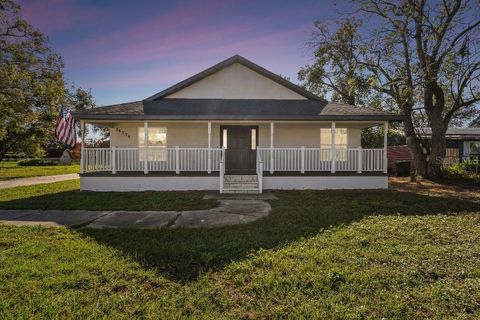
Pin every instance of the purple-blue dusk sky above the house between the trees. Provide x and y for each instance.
(128, 50)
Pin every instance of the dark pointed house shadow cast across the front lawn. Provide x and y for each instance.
(183, 254)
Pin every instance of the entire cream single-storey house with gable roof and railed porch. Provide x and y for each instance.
(234, 127)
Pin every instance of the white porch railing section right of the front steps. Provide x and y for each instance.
(317, 159)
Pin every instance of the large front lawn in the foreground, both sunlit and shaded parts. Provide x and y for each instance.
(326, 254)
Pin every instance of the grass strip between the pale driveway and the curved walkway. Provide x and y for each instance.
(66, 195)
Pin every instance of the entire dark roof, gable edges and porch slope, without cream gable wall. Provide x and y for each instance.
(313, 108)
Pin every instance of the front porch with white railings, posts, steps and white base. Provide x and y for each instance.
(205, 168)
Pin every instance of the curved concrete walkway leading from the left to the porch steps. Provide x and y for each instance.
(230, 212)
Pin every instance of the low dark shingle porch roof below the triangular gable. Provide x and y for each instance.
(235, 109)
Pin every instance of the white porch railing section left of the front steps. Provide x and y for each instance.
(158, 159)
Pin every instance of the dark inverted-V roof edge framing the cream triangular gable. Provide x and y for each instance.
(228, 62)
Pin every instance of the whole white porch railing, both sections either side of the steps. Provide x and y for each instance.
(209, 160)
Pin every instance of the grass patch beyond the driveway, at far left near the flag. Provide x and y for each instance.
(10, 170)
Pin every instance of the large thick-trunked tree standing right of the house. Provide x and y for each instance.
(425, 56)
